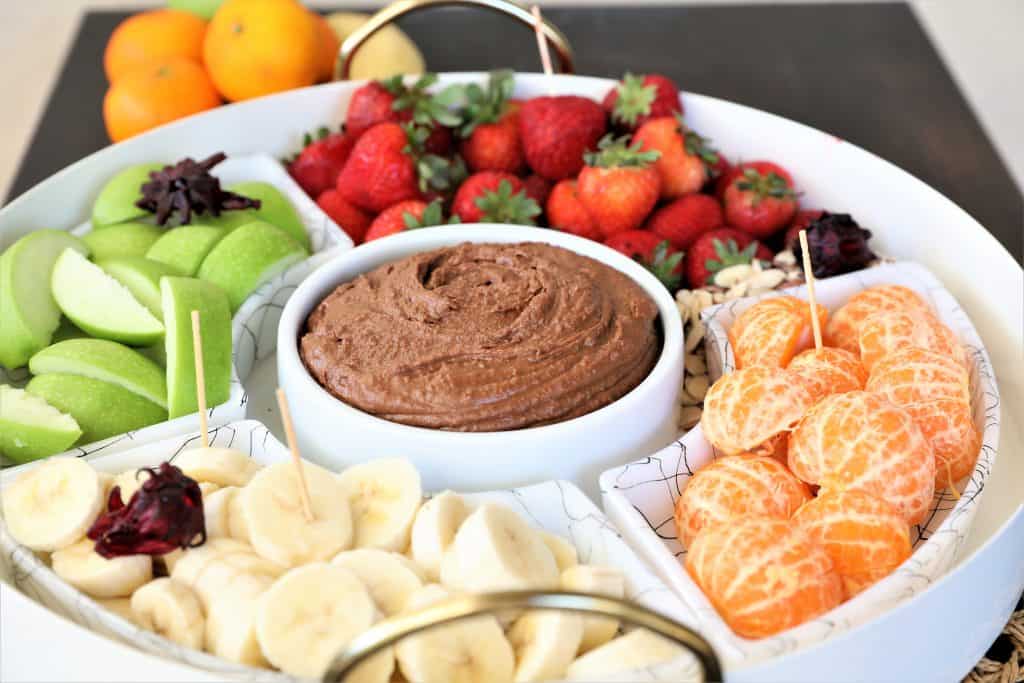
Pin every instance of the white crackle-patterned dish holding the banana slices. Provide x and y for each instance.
(559, 507)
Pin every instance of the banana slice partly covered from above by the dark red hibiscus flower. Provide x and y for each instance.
(93, 574)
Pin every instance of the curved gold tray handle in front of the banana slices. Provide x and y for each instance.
(395, 629)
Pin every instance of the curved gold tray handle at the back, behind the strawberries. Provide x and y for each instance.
(390, 14)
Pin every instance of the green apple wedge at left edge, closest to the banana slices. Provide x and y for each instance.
(31, 429)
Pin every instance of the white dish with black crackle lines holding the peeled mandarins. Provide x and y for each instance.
(639, 498)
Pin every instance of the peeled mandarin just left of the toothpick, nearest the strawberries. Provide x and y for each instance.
(771, 332)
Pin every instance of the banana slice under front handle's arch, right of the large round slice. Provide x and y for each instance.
(545, 645)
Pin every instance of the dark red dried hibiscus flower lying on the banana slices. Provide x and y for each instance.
(164, 515)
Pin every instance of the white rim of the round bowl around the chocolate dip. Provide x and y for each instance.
(294, 376)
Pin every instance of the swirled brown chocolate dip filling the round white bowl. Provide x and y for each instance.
(484, 337)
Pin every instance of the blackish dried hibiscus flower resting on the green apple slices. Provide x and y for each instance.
(188, 188)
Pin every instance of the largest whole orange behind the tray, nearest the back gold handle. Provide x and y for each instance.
(255, 48)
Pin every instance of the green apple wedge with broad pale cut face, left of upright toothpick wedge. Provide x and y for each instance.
(101, 306)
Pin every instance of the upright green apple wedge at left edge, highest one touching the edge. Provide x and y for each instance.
(28, 313)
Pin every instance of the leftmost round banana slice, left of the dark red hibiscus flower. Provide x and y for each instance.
(54, 505)
